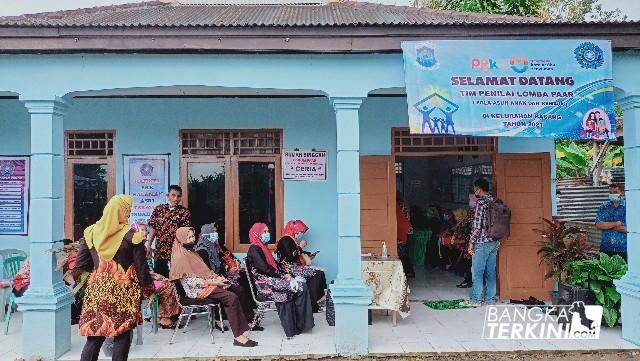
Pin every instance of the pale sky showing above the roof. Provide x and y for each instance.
(17, 7)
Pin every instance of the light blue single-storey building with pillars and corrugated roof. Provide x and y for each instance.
(230, 87)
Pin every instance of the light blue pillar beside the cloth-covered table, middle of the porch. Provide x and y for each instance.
(350, 295)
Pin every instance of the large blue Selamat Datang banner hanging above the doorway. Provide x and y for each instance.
(512, 88)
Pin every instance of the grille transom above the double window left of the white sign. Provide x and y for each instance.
(231, 142)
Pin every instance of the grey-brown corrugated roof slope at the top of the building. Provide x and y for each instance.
(332, 14)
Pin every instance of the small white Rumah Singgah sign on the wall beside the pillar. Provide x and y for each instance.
(309, 165)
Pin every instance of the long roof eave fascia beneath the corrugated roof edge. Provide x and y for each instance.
(340, 39)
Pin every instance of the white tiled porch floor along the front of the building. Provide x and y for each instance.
(425, 331)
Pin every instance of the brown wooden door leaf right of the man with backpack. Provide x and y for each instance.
(523, 182)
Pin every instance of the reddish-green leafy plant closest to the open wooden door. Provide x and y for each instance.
(560, 245)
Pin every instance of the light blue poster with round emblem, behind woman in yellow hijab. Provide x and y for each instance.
(146, 179)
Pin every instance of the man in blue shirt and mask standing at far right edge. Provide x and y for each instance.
(612, 220)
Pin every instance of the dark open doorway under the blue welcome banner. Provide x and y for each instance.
(436, 192)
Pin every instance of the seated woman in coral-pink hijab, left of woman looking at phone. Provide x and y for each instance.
(272, 283)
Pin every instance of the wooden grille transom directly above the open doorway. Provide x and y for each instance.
(405, 142)
